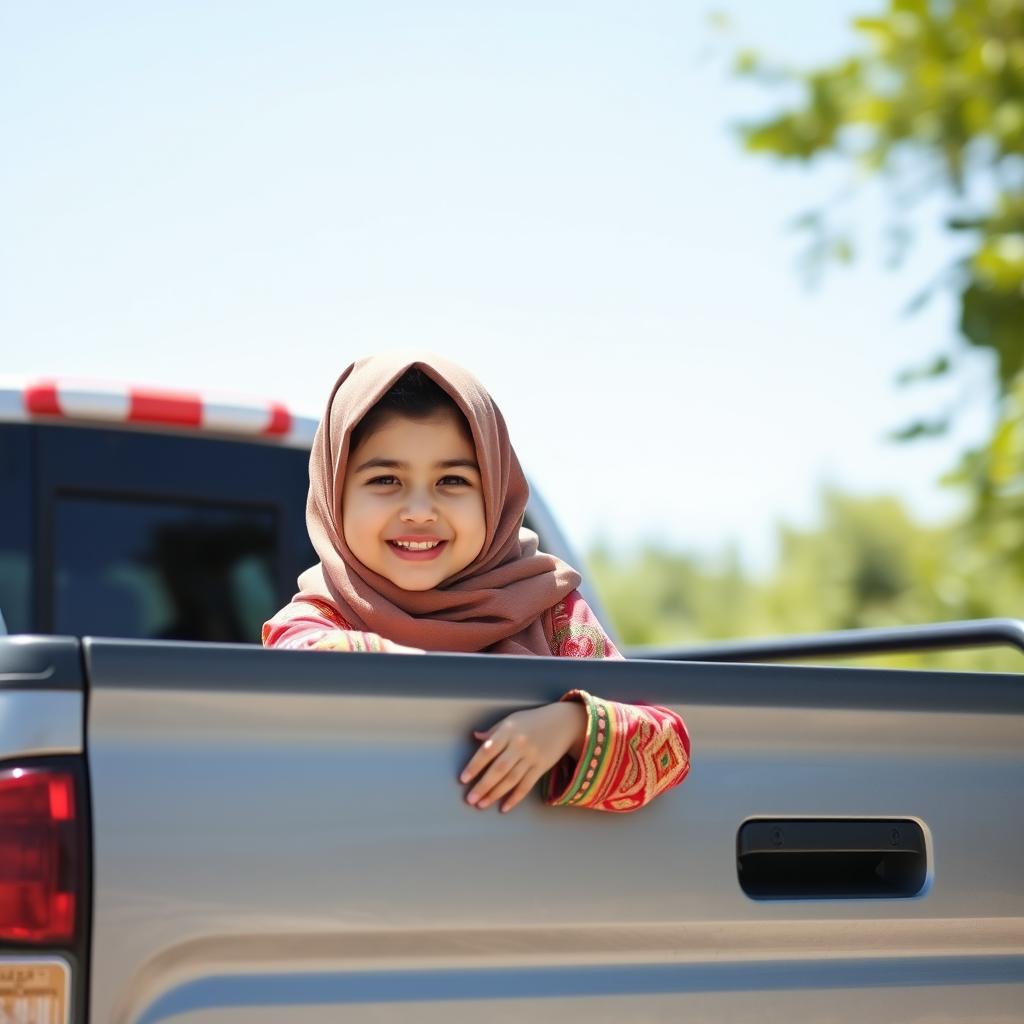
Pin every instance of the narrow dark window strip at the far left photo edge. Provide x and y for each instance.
(16, 528)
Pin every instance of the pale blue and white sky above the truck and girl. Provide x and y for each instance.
(245, 197)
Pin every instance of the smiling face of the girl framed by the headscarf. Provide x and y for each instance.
(412, 503)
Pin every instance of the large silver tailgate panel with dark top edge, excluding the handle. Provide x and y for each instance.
(285, 848)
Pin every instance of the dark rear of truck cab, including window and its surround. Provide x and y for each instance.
(150, 536)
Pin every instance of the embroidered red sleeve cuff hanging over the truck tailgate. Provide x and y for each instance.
(631, 754)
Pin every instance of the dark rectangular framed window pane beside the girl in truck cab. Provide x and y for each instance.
(162, 570)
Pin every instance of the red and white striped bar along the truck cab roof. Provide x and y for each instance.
(66, 401)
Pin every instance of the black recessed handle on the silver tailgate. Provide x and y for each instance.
(831, 859)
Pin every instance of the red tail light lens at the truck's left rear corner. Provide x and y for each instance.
(39, 833)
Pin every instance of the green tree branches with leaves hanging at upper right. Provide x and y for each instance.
(931, 106)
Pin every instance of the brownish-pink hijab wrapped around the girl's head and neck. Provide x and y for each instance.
(497, 602)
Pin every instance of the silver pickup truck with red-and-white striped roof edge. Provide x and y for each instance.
(199, 831)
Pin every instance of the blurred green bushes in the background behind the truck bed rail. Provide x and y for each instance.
(868, 565)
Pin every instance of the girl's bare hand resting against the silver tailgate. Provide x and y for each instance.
(521, 749)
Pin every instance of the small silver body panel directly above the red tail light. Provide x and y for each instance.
(36, 723)
